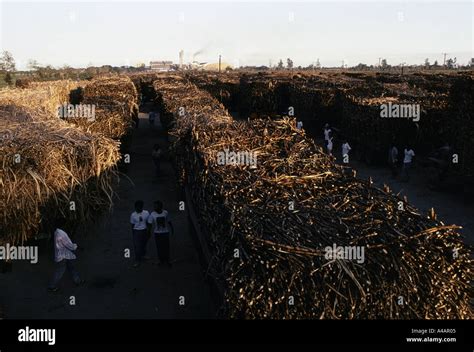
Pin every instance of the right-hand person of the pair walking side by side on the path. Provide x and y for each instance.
(160, 225)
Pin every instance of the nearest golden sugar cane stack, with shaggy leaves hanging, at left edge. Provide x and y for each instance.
(46, 164)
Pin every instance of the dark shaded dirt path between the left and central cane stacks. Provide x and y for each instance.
(114, 289)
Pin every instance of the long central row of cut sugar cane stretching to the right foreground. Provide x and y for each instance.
(270, 225)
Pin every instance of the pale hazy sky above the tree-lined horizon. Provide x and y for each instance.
(245, 33)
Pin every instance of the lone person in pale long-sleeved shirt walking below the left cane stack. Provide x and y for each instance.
(63, 257)
